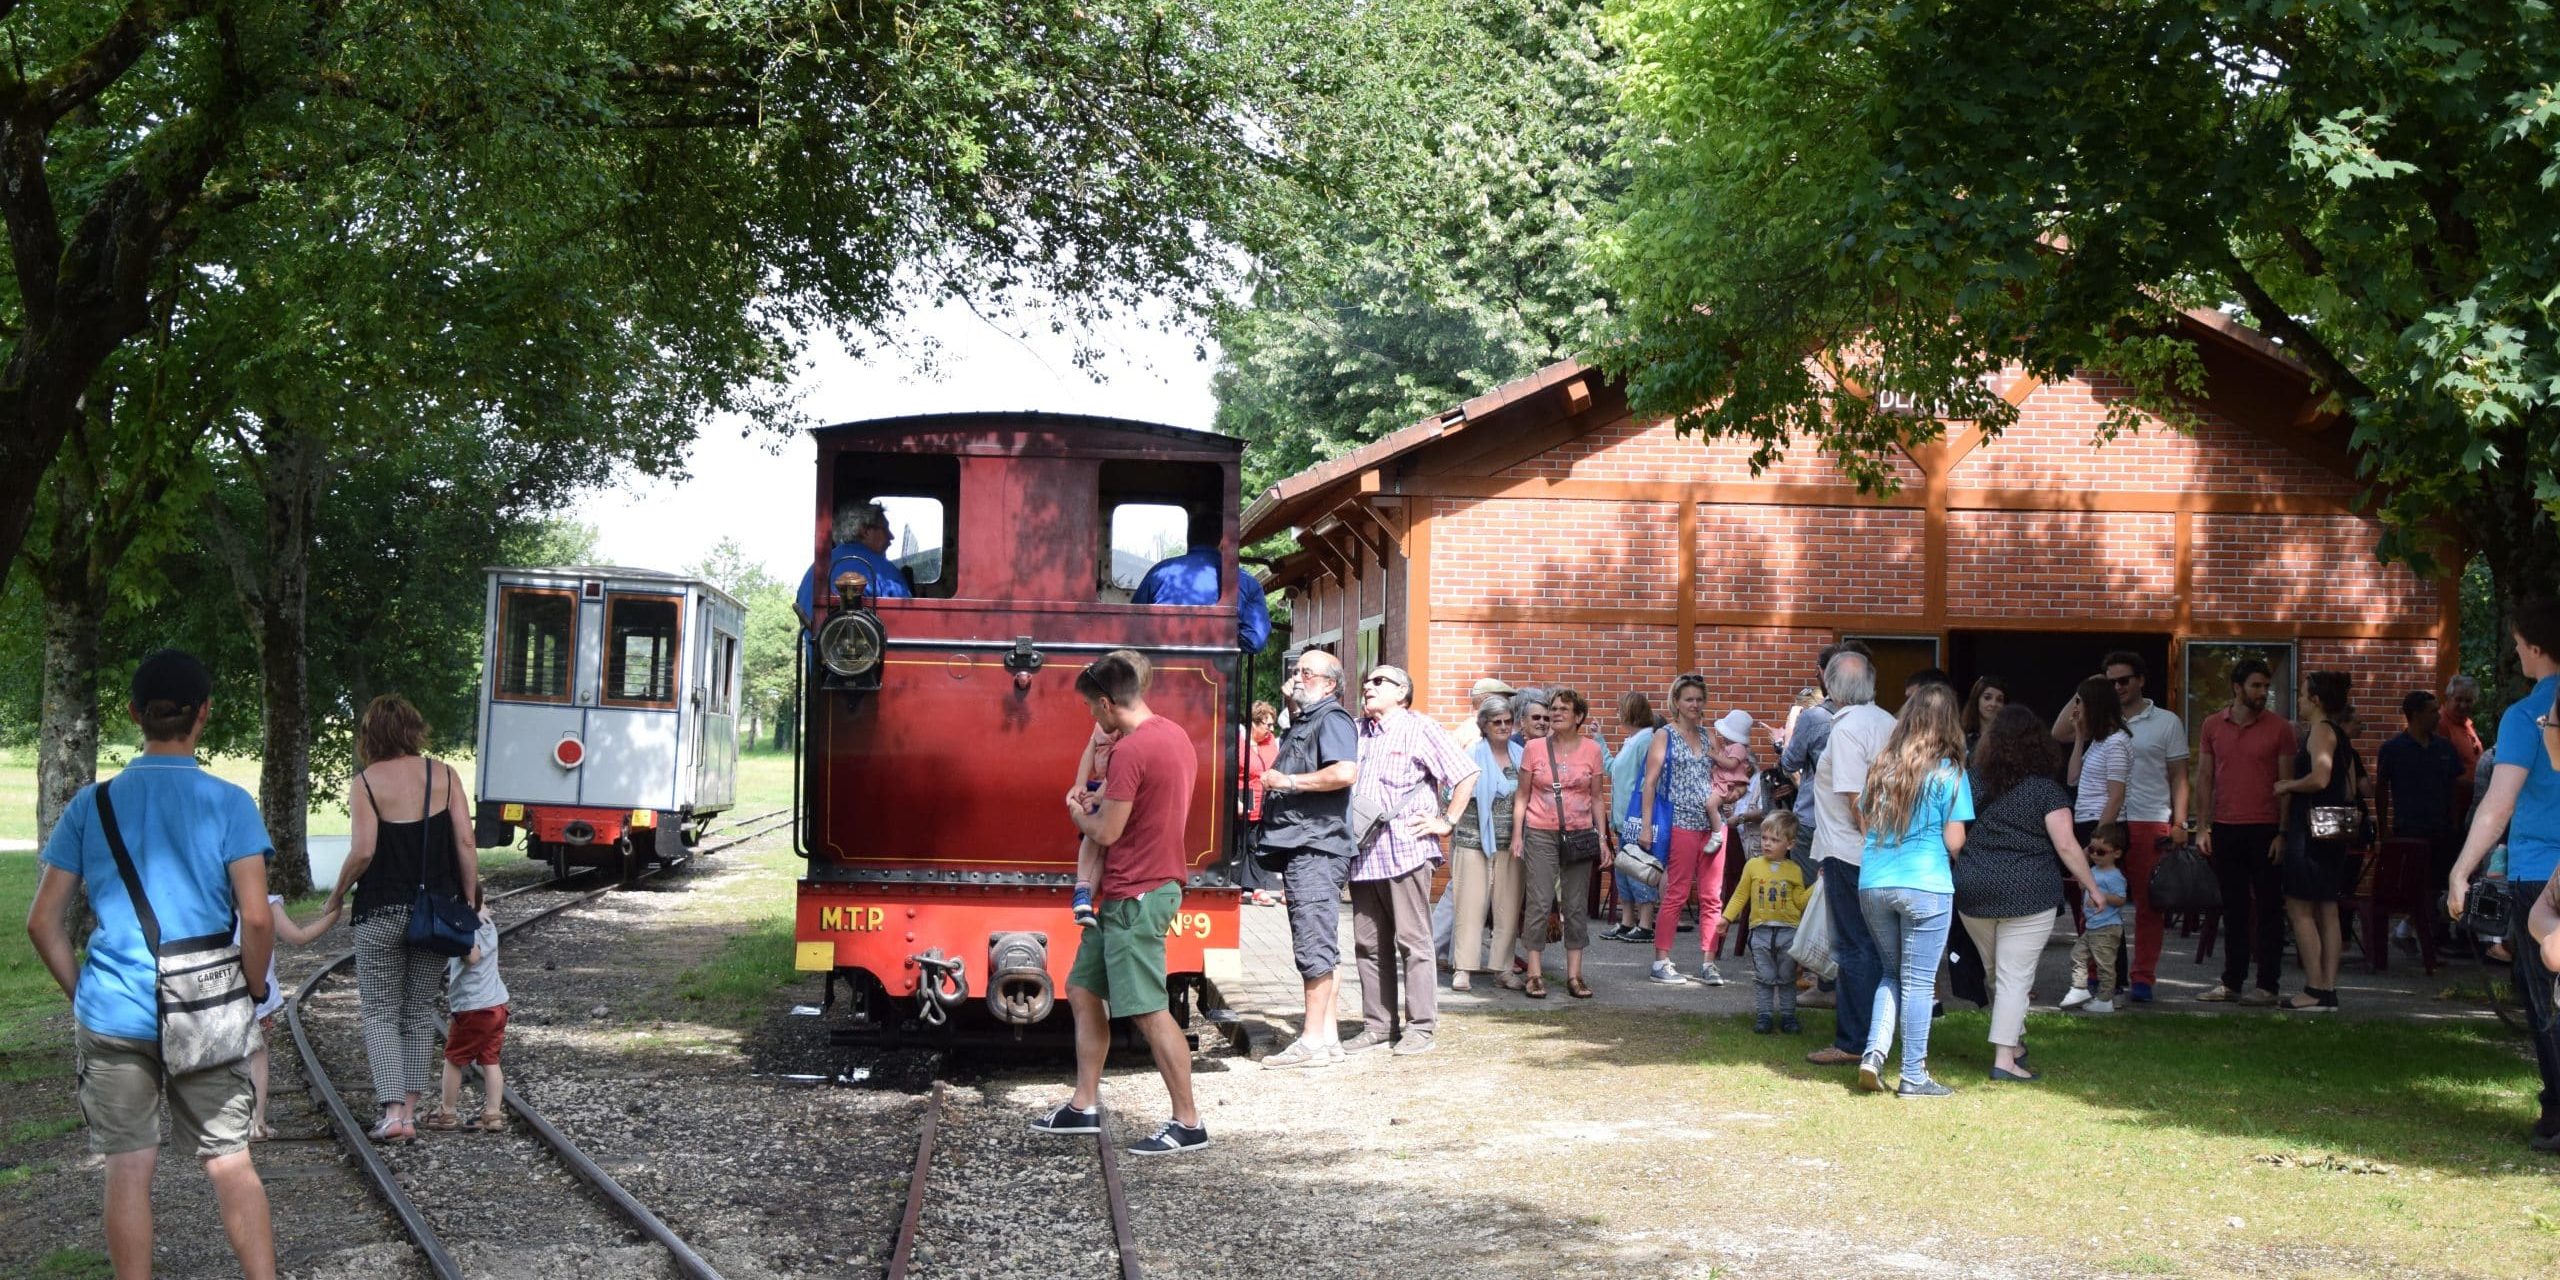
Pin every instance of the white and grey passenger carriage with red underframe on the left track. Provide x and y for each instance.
(608, 723)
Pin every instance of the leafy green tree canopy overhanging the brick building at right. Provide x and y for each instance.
(1926, 193)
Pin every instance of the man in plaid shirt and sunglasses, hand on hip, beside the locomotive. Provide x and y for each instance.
(1407, 764)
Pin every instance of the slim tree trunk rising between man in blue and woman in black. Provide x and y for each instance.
(285, 790)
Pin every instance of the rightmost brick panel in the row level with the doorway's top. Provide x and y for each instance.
(2300, 570)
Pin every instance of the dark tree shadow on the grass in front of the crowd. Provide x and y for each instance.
(2441, 1094)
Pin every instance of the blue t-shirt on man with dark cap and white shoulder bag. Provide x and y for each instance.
(183, 831)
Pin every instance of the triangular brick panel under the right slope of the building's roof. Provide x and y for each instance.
(2052, 447)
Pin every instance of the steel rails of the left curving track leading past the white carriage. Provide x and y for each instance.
(380, 1171)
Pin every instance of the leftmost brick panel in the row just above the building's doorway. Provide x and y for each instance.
(1548, 552)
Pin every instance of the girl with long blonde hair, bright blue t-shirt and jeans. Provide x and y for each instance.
(1914, 808)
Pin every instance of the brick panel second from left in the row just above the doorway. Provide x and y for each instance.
(1809, 559)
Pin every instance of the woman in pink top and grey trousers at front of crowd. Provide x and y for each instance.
(1563, 767)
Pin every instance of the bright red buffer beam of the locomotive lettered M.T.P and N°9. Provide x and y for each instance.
(931, 956)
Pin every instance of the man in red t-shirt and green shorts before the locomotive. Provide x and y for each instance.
(1120, 961)
